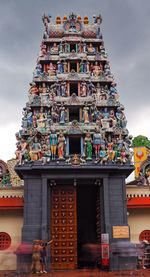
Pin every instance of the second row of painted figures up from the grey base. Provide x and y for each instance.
(43, 118)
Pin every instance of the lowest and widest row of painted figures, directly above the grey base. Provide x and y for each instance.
(95, 147)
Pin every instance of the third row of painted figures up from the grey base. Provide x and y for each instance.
(44, 93)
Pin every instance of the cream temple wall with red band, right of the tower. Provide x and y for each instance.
(138, 192)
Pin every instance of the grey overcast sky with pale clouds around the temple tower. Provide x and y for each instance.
(126, 33)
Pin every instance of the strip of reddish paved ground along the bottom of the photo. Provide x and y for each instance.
(82, 273)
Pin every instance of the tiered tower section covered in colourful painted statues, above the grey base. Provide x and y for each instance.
(72, 91)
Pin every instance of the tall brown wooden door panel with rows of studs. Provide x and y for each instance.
(63, 227)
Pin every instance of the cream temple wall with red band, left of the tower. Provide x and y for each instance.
(11, 214)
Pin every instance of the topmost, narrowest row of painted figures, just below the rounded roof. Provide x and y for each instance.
(64, 48)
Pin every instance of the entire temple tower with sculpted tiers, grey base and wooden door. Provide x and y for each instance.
(73, 148)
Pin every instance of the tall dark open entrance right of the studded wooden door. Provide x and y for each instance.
(86, 223)
